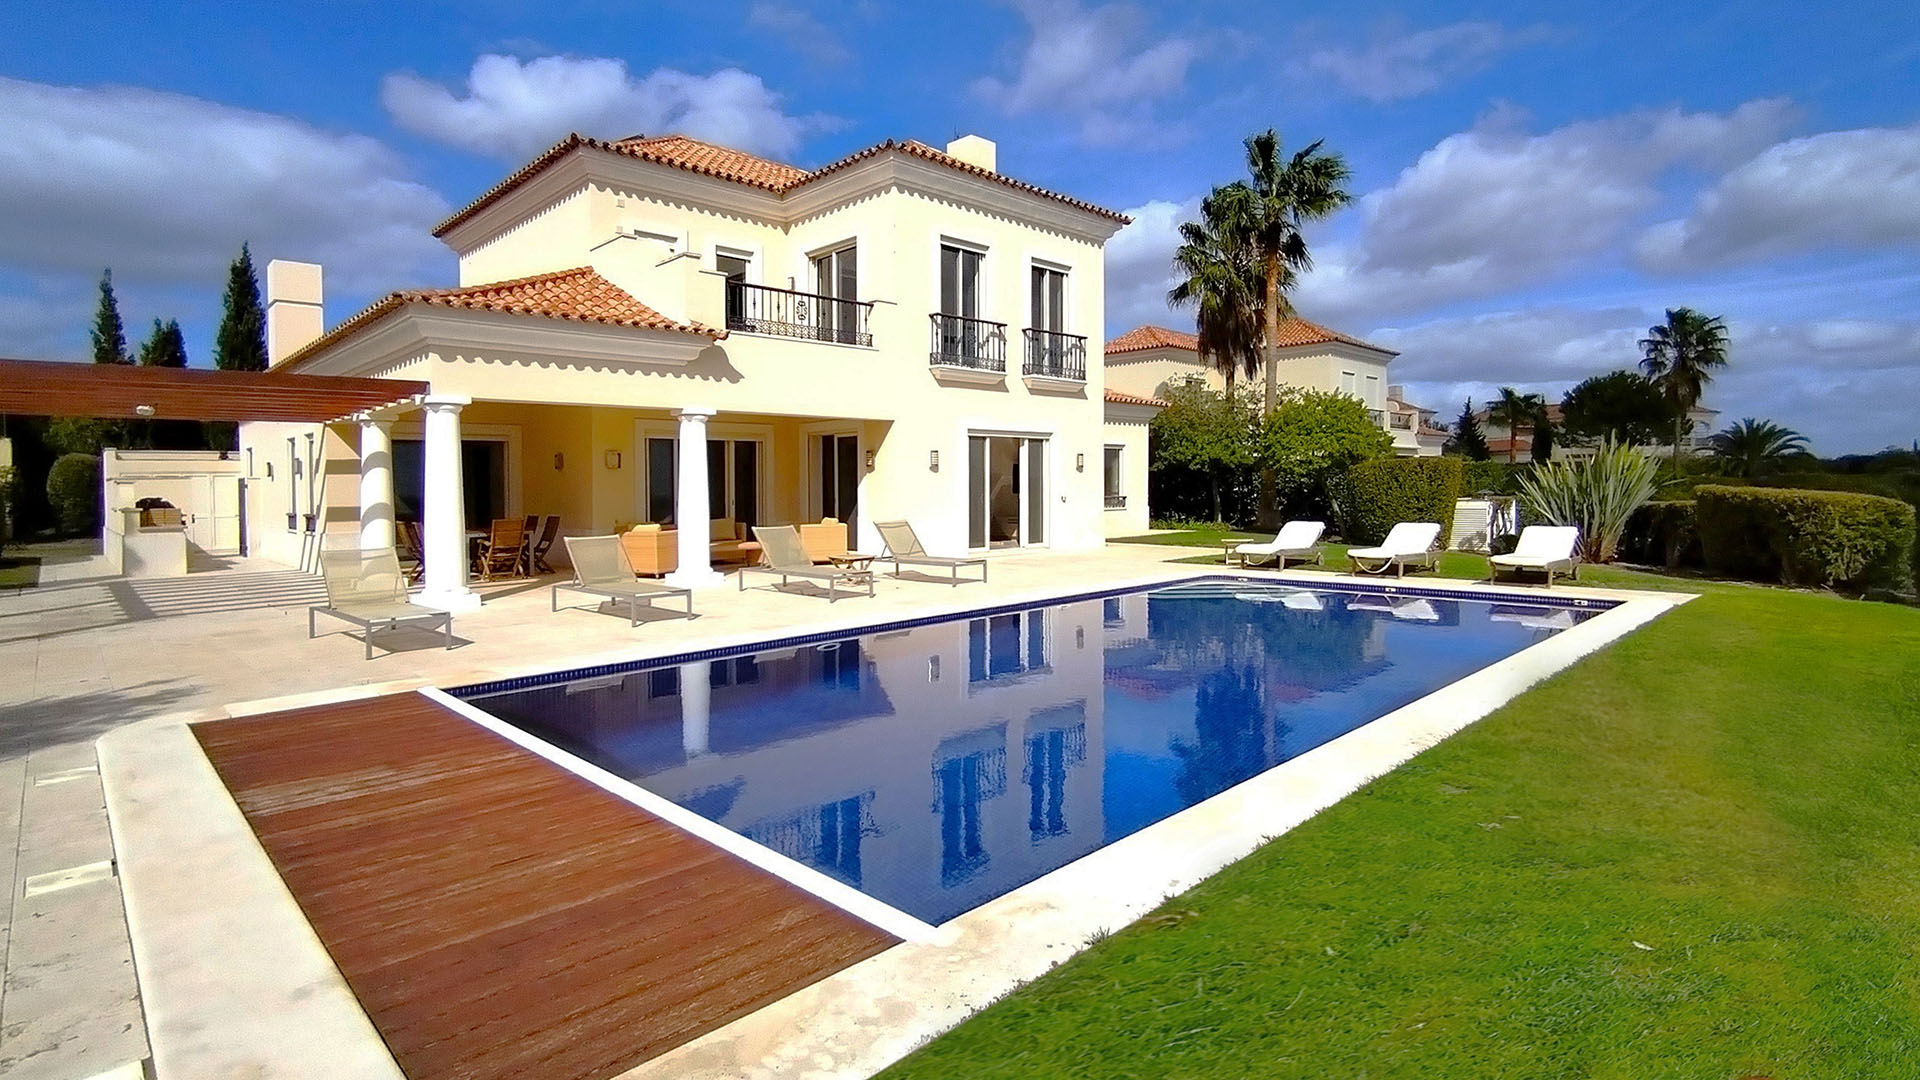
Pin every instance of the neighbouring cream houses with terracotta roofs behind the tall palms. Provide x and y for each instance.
(1147, 360)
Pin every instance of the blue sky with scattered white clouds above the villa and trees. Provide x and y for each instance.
(1537, 182)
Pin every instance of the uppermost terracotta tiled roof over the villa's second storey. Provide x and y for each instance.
(742, 168)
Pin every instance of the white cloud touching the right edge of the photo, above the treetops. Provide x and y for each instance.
(1840, 189)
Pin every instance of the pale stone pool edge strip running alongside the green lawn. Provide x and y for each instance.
(855, 1023)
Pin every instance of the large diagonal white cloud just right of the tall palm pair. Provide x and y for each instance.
(1495, 209)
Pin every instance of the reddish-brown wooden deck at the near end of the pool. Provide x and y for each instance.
(502, 918)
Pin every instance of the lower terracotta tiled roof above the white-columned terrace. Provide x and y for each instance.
(575, 295)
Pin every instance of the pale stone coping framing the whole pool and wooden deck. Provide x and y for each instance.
(272, 1004)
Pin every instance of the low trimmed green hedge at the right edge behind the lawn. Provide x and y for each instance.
(1804, 537)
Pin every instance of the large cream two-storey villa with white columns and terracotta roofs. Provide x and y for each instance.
(673, 331)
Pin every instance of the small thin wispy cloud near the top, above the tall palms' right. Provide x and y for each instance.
(1412, 64)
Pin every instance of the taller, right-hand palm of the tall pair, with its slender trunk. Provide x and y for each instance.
(1282, 197)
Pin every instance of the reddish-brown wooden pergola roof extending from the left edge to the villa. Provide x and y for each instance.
(112, 391)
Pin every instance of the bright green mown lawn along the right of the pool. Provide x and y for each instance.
(1691, 856)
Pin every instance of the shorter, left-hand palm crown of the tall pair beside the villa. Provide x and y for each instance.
(1220, 278)
